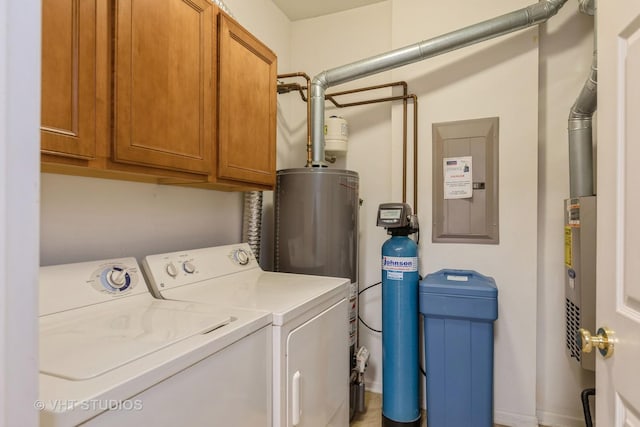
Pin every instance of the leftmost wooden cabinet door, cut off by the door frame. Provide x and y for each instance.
(68, 109)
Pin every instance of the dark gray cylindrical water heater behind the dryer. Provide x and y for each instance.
(316, 226)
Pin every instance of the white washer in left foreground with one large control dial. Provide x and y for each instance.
(112, 354)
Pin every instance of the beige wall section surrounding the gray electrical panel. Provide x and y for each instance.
(498, 78)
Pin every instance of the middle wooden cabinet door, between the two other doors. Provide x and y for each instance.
(164, 86)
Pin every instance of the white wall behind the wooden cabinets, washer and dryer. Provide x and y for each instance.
(89, 218)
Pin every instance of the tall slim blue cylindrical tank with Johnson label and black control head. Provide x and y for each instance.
(400, 335)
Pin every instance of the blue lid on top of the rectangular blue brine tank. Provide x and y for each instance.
(459, 282)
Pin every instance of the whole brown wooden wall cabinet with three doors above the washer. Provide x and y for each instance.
(168, 91)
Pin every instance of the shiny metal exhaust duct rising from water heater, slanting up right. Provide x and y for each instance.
(523, 18)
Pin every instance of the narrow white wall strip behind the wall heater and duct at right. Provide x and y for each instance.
(566, 47)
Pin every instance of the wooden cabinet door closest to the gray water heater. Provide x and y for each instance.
(247, 106)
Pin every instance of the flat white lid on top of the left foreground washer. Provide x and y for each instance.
(87, 342)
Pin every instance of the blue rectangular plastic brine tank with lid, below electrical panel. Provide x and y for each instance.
(459, 308)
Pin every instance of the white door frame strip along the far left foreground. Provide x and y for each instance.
(19, 166)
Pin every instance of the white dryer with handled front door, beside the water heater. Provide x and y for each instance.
(310, 324)
